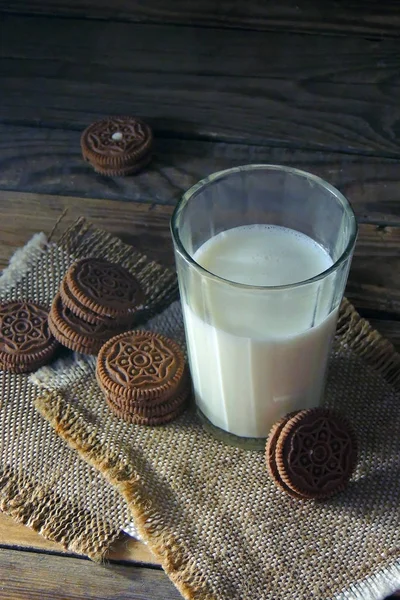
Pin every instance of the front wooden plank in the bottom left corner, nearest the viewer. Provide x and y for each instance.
(34, 576)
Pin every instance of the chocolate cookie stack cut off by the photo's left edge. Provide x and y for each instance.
(26, 342)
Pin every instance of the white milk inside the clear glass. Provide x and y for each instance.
(255, 354)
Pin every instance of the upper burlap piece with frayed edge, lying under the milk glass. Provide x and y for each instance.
(209, 512)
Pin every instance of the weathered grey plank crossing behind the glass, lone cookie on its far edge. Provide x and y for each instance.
(48, 161)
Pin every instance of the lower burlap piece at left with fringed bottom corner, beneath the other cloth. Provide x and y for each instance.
(43, 482)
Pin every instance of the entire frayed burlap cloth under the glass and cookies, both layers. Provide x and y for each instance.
(208, 511)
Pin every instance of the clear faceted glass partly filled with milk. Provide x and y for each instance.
(262, 255)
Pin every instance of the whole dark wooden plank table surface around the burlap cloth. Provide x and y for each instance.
(302, 83)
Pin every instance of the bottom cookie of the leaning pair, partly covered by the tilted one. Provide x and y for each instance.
(77, 334)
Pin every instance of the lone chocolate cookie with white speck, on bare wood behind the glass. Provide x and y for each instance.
(119, 138)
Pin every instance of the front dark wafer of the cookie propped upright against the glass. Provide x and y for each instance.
(316, 453)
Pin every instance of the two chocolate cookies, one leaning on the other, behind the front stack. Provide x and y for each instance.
(97, 299)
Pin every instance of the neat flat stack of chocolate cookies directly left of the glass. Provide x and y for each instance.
(144, 377)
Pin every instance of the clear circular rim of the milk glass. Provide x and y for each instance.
(219, 175)
